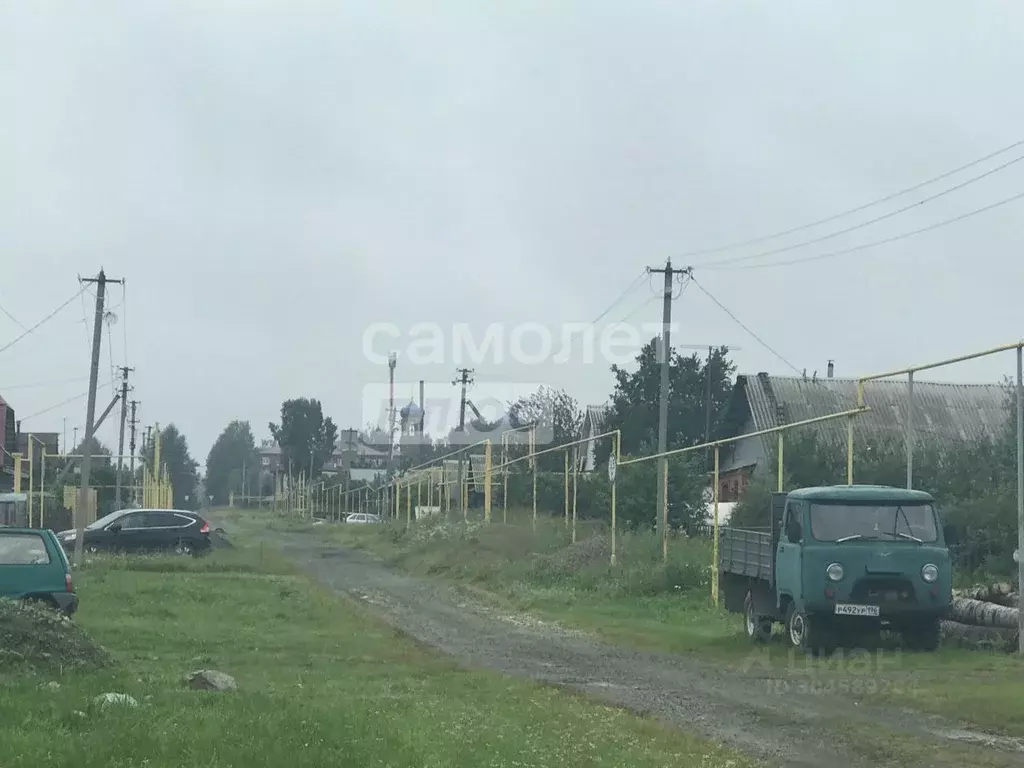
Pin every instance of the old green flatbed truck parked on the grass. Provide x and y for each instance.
(838, 565)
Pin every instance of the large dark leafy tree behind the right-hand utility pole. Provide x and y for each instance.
(634, 408)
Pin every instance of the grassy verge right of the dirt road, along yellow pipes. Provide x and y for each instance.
(643, 603)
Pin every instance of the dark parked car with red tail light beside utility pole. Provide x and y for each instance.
(145, 531)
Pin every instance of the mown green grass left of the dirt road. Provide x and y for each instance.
(321, 684)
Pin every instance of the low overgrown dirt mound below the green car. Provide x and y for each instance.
(36, 637)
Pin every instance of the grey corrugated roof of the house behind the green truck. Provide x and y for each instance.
(943, 413)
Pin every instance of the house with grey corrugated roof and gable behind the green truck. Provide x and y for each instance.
(943, 413)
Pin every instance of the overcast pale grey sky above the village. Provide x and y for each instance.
(273, 178)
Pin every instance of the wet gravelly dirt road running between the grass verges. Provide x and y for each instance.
(784, 720)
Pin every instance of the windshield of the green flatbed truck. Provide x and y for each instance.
(905, 522)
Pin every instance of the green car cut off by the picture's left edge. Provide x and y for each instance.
(33, 567)
